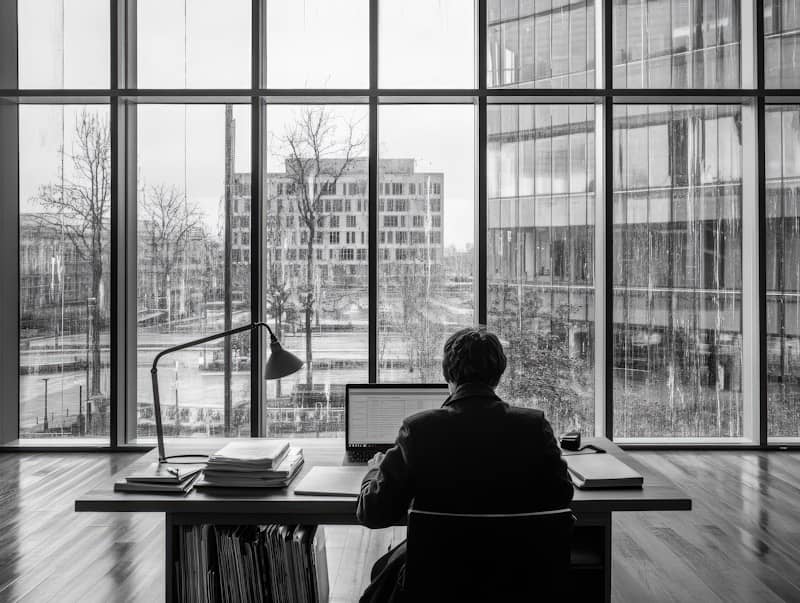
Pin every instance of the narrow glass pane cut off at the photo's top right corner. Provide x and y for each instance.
(782, 43)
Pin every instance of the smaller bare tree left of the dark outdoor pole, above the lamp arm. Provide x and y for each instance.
(168, 222)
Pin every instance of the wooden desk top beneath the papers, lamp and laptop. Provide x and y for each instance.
(658, 493)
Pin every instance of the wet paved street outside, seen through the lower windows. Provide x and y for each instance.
(180, 376)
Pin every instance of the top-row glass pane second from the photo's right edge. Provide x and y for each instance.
(676, 43)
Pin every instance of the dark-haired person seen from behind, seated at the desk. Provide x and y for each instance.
(475, 454)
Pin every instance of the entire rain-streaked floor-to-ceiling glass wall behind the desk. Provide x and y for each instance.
(677, 209)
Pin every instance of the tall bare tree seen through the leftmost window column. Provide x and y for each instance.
(79, 204)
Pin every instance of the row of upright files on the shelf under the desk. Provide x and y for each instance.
(252, 563)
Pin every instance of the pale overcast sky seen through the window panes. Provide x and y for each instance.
(310, 43)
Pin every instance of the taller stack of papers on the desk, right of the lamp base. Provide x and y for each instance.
(253, 463)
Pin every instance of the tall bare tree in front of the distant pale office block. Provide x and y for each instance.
(317, 155)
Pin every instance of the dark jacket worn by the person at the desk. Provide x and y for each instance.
(476, 454)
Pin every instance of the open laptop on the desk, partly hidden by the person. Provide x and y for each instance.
(374, 412)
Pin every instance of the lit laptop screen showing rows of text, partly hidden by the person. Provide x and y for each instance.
(375, 414)
